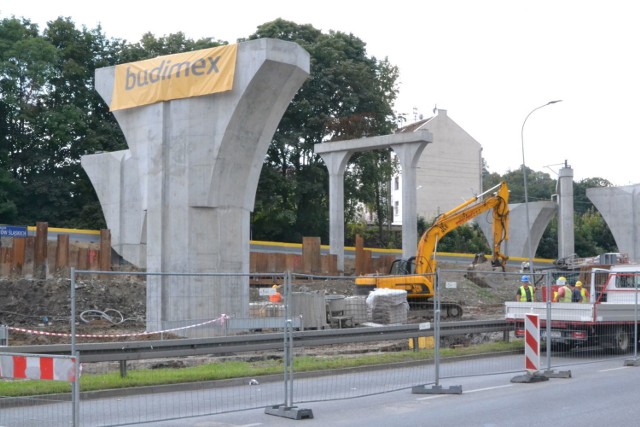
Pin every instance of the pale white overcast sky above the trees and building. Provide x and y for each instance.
(489, 63)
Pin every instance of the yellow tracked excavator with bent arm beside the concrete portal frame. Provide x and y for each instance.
(417, 274)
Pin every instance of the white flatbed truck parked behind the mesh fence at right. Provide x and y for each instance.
(592, 324)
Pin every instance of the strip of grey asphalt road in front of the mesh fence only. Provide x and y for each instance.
(598, 394)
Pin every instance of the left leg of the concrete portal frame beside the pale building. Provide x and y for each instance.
(336, 163)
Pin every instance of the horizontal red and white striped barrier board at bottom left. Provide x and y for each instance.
(38, 367)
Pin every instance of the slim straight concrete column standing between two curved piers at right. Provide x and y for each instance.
(566, 239)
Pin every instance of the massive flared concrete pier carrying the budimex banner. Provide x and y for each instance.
(179, 199)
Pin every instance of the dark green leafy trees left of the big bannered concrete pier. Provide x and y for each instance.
(53, 116)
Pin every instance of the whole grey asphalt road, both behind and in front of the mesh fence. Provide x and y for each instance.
(599, 393)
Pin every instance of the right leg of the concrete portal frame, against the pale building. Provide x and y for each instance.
(408, 155)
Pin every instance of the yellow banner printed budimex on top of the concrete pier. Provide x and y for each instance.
(182, 75)
